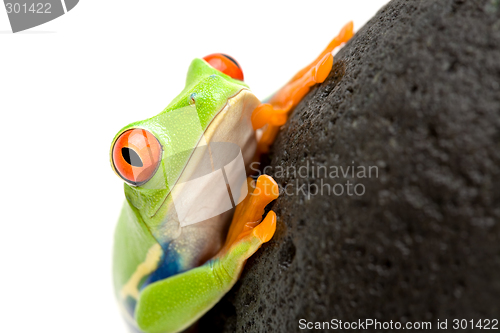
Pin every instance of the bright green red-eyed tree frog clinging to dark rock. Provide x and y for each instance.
(176, 255)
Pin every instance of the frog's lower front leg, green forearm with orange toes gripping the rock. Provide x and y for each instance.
(175, 303)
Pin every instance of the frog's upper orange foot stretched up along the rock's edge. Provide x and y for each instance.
(275, 113)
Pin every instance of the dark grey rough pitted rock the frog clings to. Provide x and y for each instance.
(416, 93)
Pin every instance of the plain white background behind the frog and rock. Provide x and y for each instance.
(66, 88)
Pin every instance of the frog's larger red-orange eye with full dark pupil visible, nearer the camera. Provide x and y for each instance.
(136, 156)
